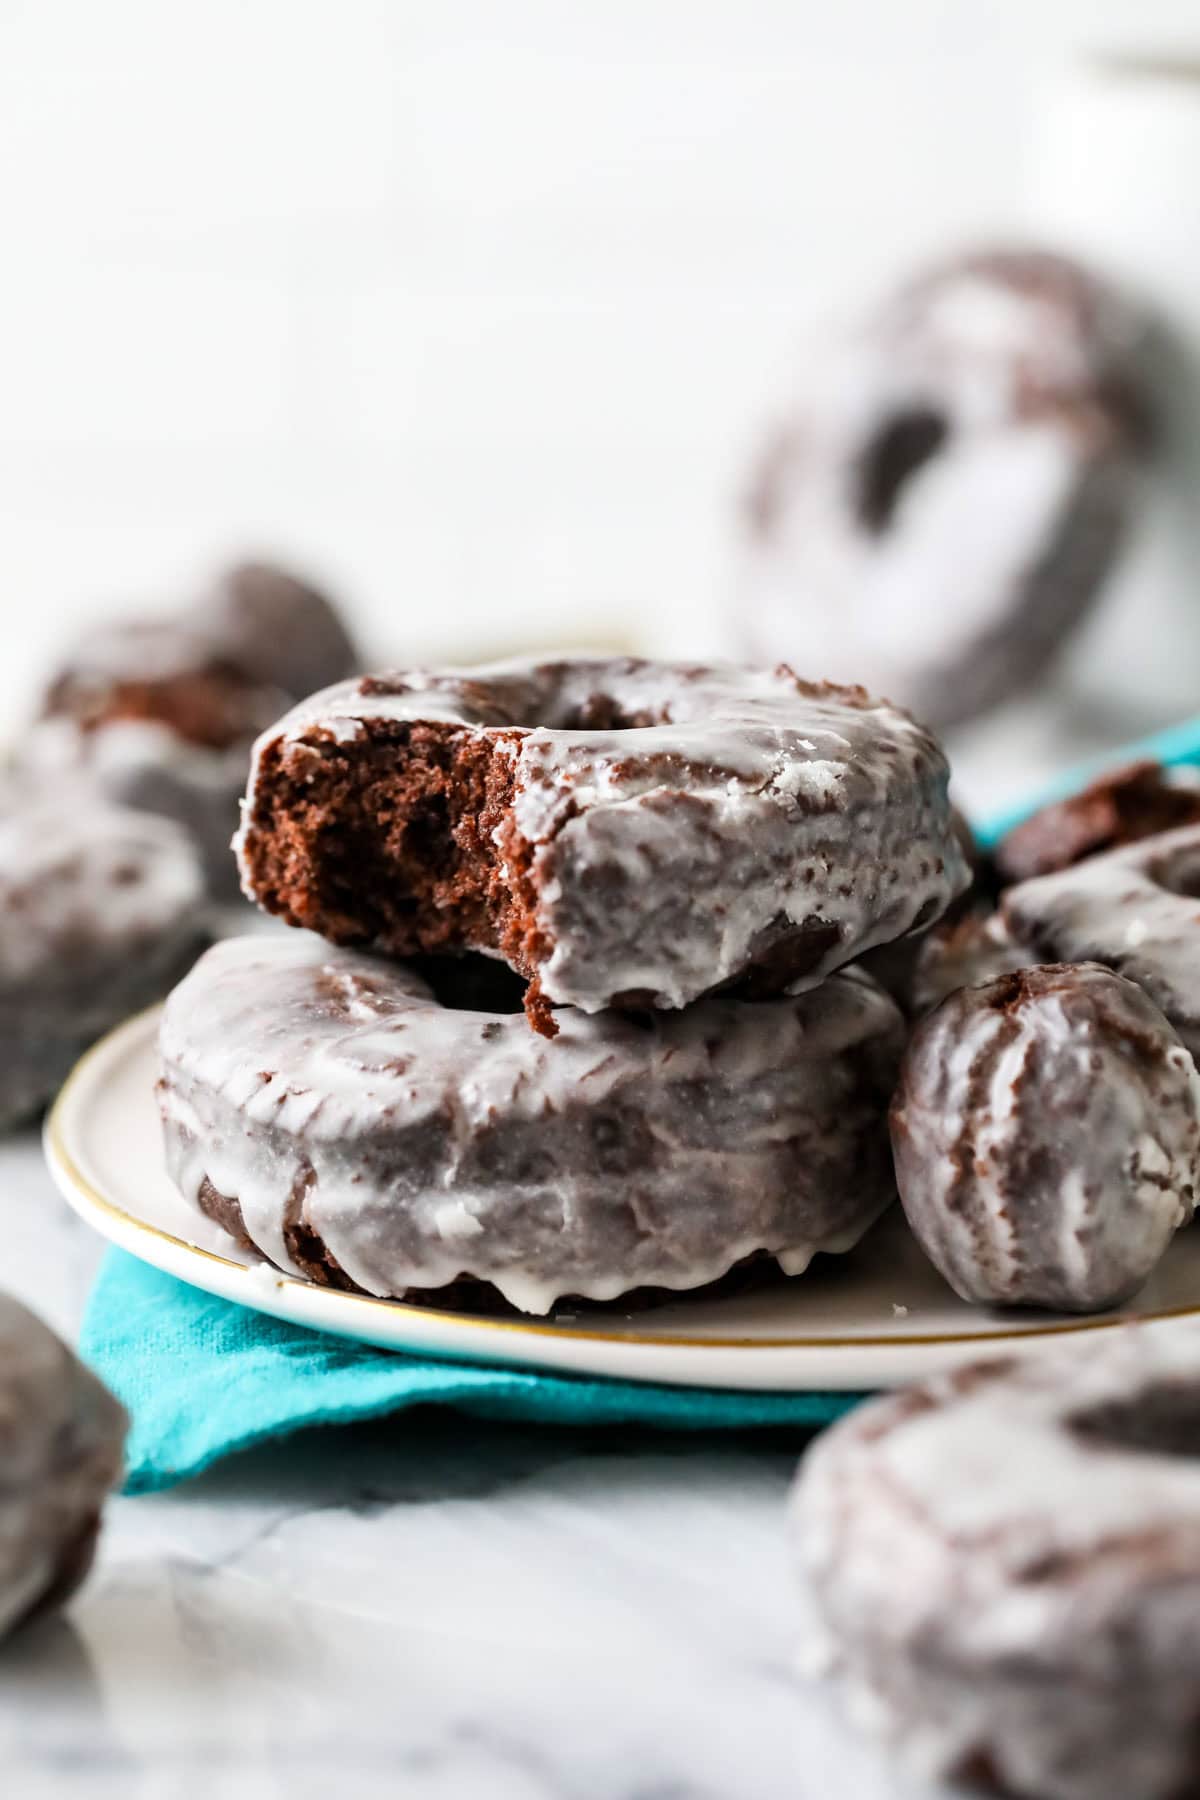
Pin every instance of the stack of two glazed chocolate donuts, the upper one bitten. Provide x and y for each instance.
(577, 1014)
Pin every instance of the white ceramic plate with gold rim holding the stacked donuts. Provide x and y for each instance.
(870, 1320)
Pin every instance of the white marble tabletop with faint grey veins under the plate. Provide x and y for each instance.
(433, 1606)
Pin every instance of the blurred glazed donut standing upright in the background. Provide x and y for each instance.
(945, 496)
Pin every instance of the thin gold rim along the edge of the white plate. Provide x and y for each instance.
(60, 1156)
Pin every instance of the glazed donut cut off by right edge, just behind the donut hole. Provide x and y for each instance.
(1133, 910)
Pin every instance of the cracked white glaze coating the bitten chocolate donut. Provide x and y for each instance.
(668, 858)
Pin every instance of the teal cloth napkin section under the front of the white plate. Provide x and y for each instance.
(204, 1378)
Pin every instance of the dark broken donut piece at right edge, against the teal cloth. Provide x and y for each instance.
(1118, 809)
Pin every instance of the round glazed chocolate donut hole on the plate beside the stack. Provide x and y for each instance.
(1048, 1138)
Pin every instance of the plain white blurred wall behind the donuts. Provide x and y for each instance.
(470, 307)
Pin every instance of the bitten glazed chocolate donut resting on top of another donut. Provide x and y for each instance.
(623, 832)
